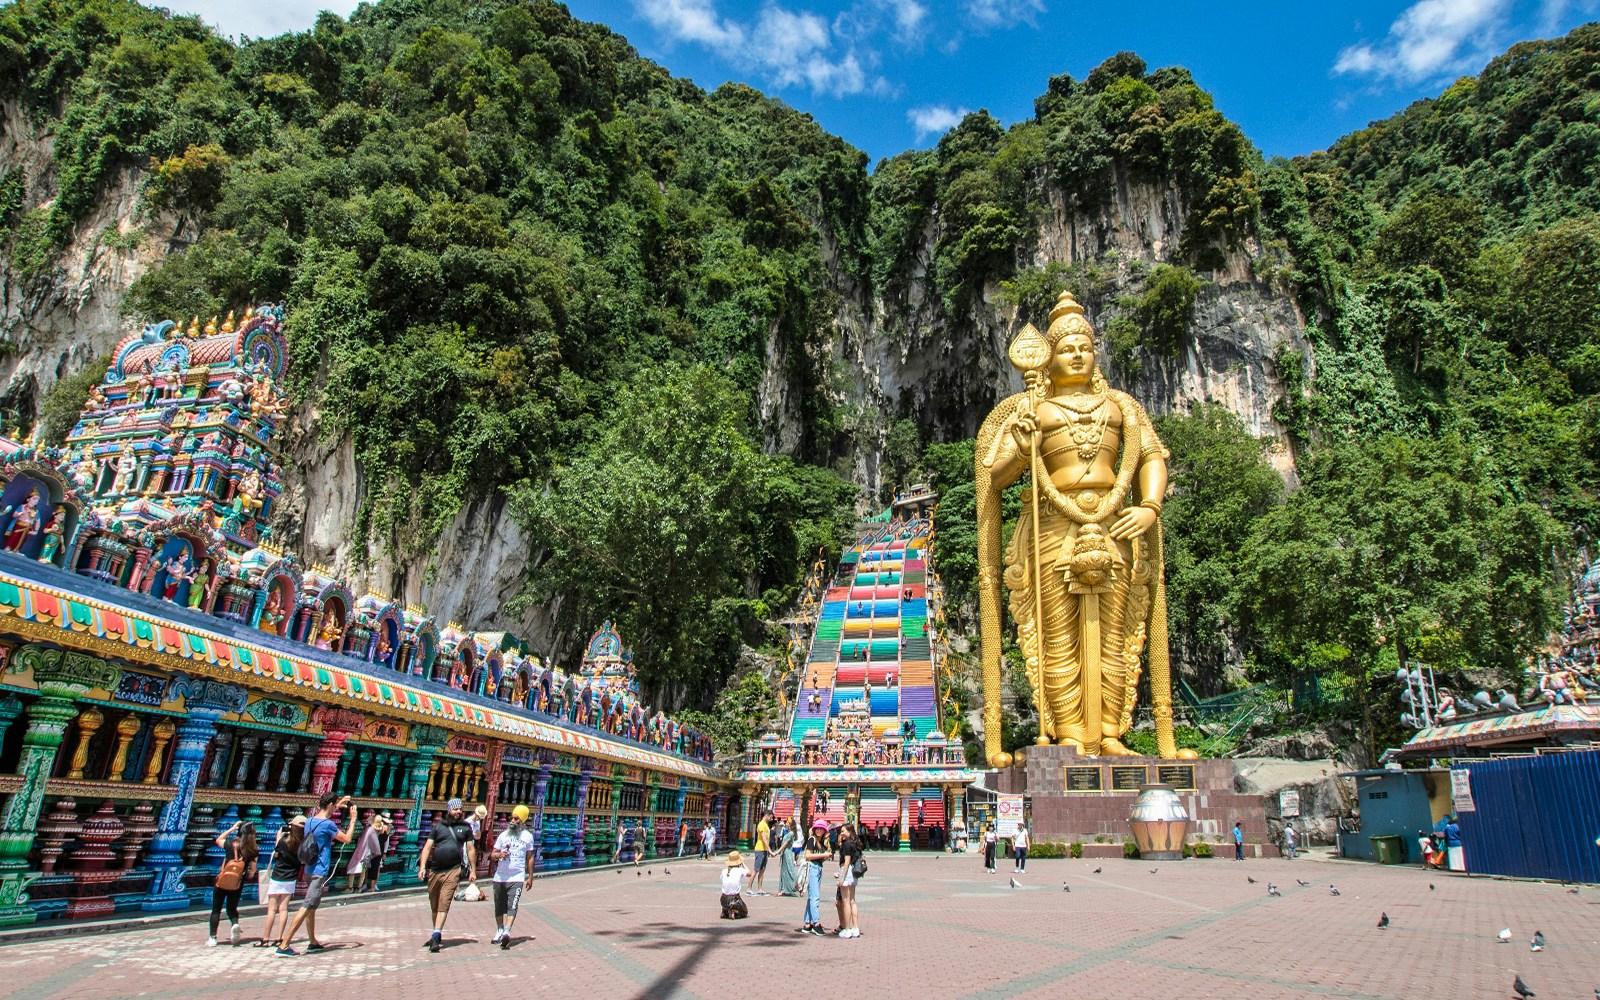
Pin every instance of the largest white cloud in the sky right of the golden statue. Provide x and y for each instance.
(1430, 39)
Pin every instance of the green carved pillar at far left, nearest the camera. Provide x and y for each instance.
(62, 678)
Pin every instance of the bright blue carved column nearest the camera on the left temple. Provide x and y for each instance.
(206, 702)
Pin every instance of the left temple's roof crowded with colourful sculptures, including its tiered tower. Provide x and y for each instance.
(167, 486)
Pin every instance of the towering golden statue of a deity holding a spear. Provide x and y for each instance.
(1086, 561)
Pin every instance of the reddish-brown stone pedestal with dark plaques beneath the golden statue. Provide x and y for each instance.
(1076, 798)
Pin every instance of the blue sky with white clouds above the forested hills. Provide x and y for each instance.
(894, 74)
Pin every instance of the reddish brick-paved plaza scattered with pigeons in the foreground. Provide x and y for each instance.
(932, 927)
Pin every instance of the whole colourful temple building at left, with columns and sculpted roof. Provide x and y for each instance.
(166, 670)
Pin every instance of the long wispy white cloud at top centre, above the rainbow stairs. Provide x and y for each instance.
(788, 47)
